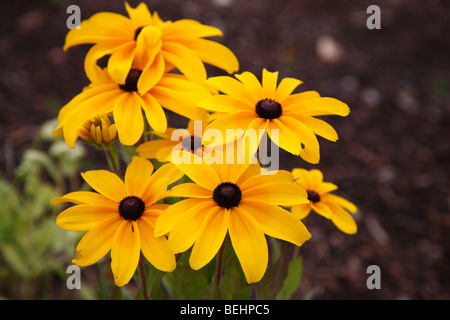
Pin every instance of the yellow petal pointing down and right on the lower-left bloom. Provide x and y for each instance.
(155, 249)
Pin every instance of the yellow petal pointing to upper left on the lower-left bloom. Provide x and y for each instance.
(106, 183)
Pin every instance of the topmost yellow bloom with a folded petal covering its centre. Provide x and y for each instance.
(179, 44)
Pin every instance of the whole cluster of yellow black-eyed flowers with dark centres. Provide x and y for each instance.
(155, 64)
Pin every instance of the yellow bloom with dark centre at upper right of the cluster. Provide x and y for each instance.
(249, 104)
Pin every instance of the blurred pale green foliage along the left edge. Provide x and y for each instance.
(34, 250)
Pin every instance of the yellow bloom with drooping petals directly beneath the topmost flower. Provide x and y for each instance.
(127, 100)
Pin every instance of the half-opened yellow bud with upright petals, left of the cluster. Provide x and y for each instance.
(98, 130)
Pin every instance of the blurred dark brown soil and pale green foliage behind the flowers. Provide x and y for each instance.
(392, 158)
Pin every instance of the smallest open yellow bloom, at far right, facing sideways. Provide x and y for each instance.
(322, 201)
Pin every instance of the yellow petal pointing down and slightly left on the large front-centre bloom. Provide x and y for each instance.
(210, 238)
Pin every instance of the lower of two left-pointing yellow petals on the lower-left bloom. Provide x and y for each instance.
(84, 217)
